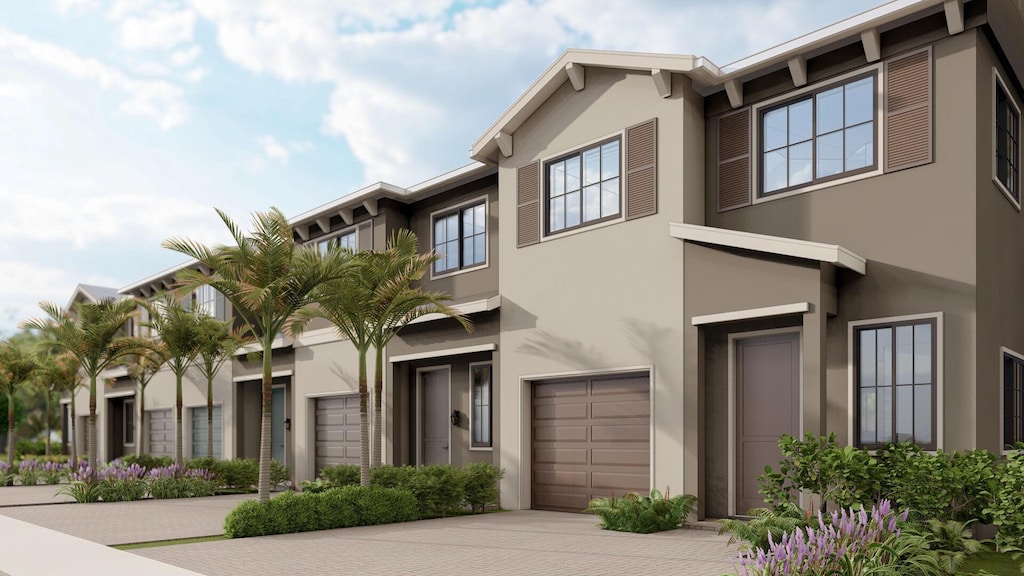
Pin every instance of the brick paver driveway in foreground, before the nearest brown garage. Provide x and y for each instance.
(514, 544)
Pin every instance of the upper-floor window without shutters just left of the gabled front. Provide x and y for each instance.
(461, 238)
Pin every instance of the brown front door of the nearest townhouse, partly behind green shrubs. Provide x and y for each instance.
(767, 406)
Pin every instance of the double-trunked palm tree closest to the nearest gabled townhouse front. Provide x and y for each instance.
(369, 308)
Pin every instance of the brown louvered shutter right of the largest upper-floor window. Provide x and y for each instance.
(909, 111)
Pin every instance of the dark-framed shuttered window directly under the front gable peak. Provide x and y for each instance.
(584, 188)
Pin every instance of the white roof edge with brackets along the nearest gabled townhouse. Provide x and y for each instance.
(707, 77)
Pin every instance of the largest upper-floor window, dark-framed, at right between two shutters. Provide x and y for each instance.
(827, 135)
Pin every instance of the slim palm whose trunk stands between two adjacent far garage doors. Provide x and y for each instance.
(180, 334)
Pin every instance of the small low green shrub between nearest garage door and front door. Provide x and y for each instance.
(643, 515)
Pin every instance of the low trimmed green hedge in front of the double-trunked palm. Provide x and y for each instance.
(291, 512)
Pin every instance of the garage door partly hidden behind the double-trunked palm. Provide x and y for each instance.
(337, 431)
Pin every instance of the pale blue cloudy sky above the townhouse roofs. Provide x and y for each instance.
(124, 124)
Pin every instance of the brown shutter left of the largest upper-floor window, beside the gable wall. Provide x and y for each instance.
(735, 160)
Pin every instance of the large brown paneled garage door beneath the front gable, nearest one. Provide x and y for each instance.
(591, 439)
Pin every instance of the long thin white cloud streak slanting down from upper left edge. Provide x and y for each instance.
(157, 100)
